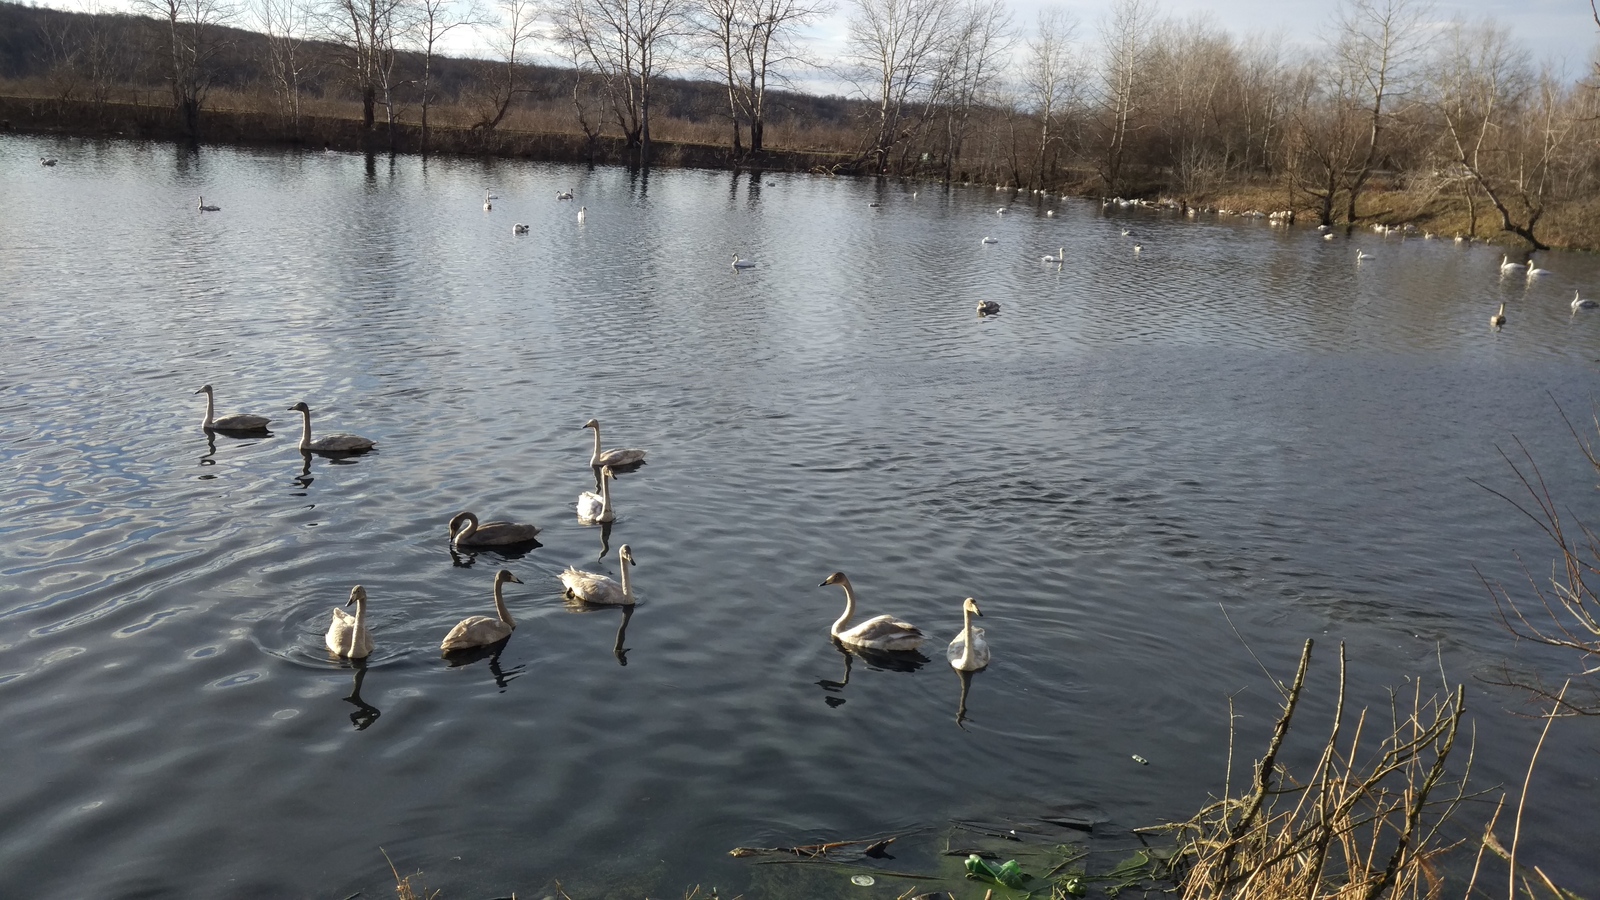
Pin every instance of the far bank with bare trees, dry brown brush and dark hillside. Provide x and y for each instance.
(1396, 119)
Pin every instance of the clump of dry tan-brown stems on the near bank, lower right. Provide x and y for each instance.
(1362, 827)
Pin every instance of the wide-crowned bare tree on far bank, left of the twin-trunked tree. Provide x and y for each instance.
(630, 44)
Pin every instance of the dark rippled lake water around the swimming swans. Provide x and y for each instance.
(1239, 417)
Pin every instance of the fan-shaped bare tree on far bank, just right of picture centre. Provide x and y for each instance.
(897, 46)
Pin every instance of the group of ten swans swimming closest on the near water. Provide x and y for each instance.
(350, 637)
